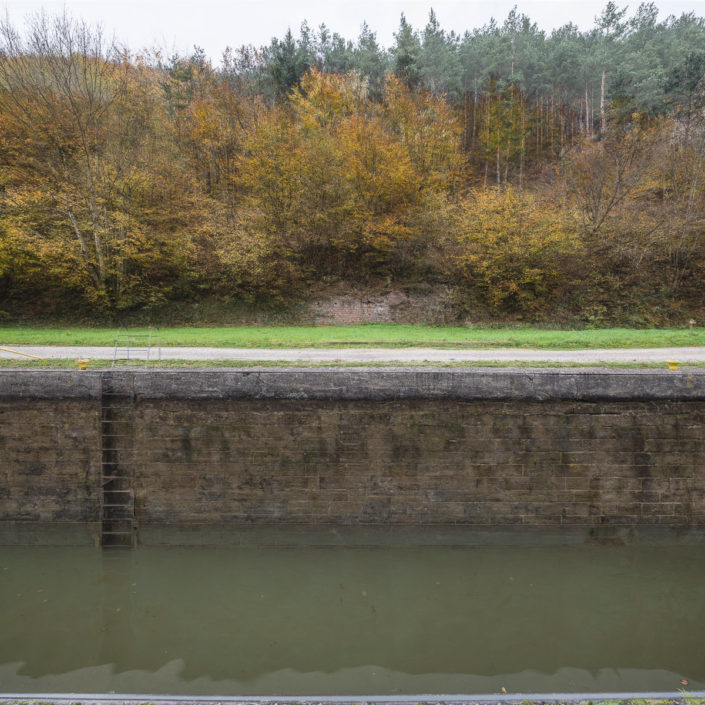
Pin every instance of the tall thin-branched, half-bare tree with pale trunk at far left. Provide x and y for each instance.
(61, 91)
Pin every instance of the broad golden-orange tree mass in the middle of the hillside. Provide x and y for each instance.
(335, 182)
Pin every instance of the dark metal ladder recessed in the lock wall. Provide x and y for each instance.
(117, 409)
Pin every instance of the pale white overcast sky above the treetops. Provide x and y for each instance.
(215, 24)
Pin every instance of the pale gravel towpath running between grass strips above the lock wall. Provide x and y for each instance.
(401, 355)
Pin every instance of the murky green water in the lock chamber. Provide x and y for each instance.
(301, 620)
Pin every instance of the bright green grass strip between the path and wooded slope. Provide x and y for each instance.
(372, 335)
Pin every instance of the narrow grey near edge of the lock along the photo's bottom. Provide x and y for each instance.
(129, 699)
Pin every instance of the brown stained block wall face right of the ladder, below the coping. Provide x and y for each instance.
(421, 462)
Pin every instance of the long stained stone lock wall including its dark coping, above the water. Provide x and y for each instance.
(483, 448)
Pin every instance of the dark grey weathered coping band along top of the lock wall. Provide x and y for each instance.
(376, 384)
